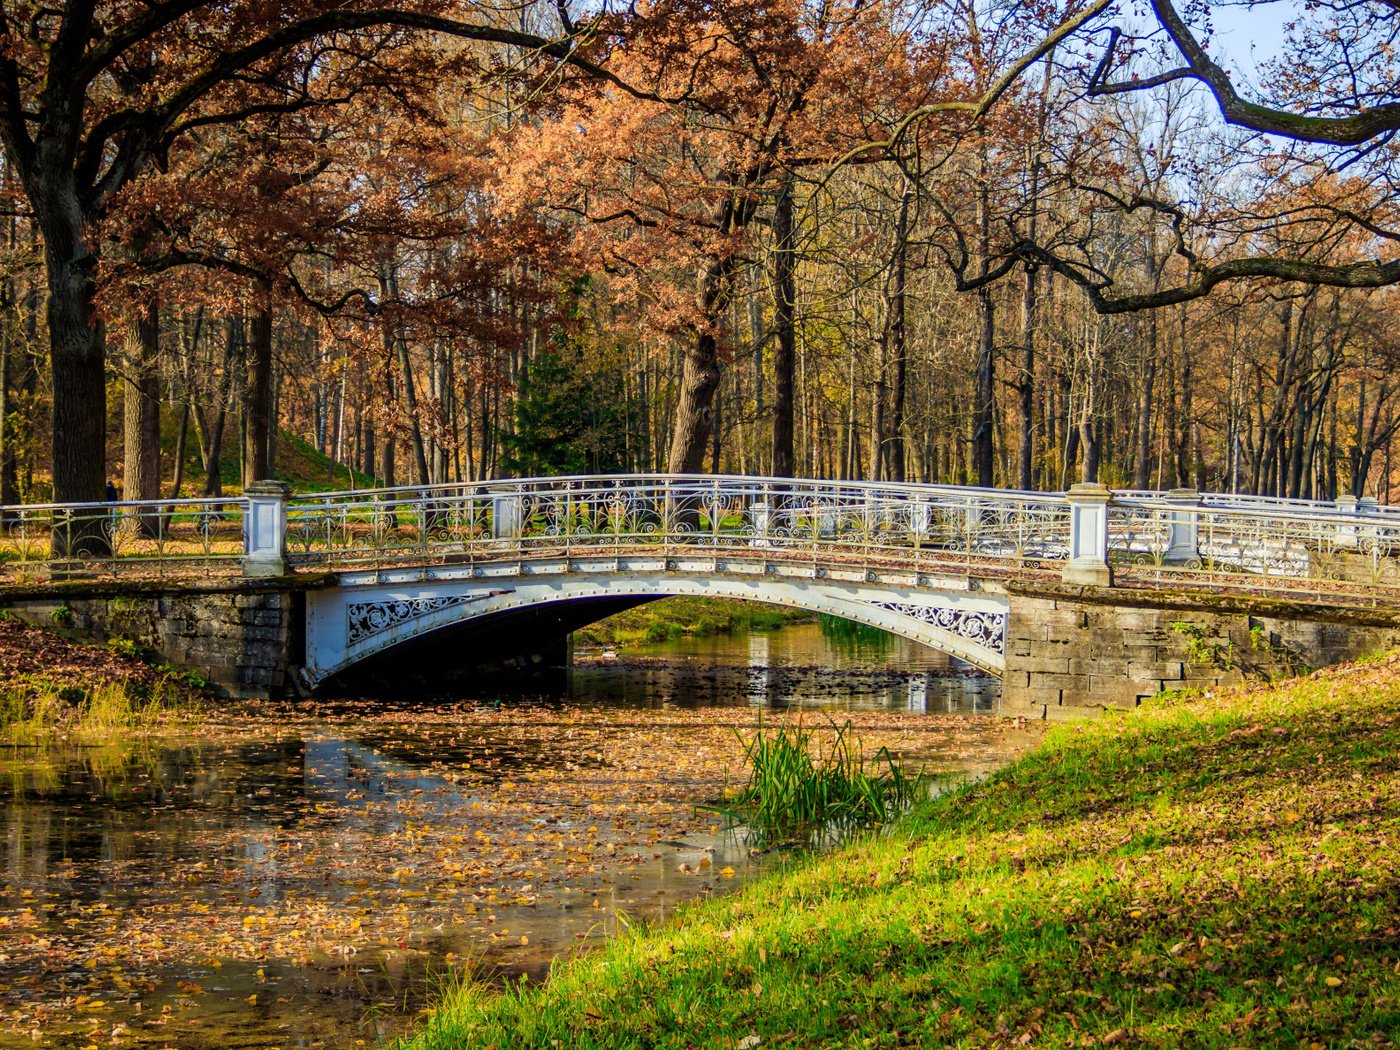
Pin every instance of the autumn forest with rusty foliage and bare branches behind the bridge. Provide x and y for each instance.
(990, 243)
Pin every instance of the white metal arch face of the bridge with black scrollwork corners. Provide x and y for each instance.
(369, 617)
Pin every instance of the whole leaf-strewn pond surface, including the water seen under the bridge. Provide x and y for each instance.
(300, 876)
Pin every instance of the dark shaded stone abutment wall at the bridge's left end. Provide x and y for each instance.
(243, 638)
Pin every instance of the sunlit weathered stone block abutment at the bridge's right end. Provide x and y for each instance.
(1076, 649)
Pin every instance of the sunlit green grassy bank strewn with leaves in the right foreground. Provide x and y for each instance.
(1206, 873)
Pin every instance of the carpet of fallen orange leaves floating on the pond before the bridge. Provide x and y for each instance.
(321, 836)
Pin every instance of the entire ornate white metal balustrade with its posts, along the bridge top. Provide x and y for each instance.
(1338, 551)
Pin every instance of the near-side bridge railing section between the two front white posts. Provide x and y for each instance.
(829, 520)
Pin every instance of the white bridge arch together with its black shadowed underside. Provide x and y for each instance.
(379, 625)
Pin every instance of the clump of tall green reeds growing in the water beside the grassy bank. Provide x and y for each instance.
(804, 783)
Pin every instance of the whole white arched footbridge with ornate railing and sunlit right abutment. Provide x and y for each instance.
(1016, 583)
